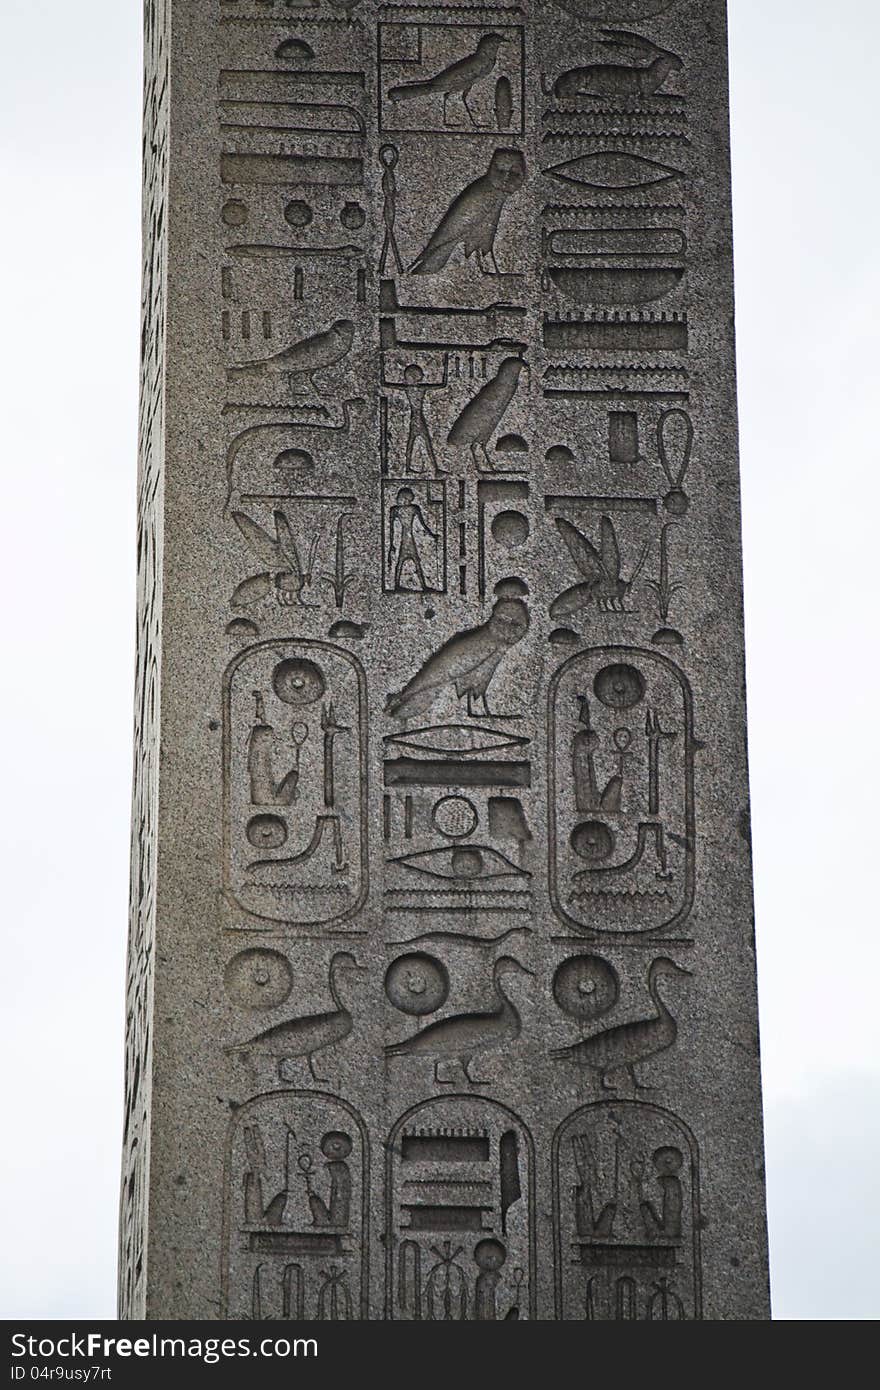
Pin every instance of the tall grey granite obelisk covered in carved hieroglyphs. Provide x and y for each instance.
(441, 974)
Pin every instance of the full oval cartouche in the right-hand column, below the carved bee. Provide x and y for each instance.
(621, 794)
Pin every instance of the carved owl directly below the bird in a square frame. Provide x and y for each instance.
(472, 219)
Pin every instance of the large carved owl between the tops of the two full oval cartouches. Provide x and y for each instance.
(468, 661)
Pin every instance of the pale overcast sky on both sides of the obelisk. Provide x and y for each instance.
(808, 294)
